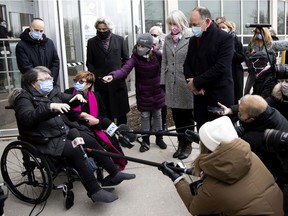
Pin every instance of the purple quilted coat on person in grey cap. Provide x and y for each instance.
(149, 95)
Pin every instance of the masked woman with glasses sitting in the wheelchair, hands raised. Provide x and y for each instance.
(42, 111)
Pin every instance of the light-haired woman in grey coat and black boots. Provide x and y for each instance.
(178, 97)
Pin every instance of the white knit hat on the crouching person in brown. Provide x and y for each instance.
(214, 132)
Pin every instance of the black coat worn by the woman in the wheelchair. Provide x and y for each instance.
(35, 118)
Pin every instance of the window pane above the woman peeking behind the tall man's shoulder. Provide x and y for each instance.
(231, 10)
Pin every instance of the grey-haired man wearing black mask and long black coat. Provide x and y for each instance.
(107, 52)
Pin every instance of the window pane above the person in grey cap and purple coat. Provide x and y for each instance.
(154, 14)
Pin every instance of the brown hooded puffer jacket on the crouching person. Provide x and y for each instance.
(236, 183)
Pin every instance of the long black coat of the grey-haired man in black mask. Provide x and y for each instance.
(101, 62)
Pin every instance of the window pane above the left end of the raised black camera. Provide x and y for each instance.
(249, 14)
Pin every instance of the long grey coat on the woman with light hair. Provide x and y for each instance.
(172, 76)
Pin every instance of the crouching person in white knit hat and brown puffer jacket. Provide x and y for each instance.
(234, 180)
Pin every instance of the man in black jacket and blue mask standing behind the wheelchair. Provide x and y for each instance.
(35, 49)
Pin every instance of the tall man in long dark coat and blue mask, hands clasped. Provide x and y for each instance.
(208, 65)
